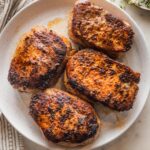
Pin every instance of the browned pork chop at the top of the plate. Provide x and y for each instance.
(91, 26)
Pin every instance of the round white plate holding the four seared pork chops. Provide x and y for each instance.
(15, 106)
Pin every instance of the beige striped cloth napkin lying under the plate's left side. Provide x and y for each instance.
(10, 139)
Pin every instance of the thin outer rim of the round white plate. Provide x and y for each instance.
(148, 88)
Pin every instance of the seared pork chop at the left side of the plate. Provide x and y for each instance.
(39, 59)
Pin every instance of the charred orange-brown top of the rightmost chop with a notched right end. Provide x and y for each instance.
(99, 78)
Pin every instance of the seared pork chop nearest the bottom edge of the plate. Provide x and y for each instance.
(64, 119)
